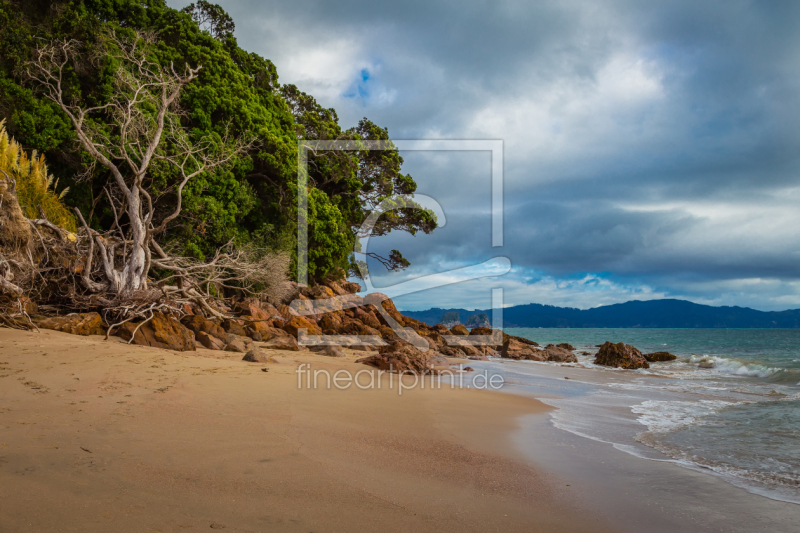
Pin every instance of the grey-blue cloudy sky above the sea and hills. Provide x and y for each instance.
(650, 151)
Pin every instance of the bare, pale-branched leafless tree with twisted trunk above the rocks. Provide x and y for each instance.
(140, 125)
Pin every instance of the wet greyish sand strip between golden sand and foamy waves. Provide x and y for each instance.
(634, 493)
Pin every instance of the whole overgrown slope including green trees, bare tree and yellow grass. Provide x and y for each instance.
(172, 164)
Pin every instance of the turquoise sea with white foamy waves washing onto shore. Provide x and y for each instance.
(729, 405)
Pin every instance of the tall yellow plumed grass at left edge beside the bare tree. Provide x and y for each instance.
(35, 188)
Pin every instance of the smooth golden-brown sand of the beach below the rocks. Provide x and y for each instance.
(100, 436)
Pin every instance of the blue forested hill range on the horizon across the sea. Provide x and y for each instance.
(634, 314)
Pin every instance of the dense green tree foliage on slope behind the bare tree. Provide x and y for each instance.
(254, 200)
